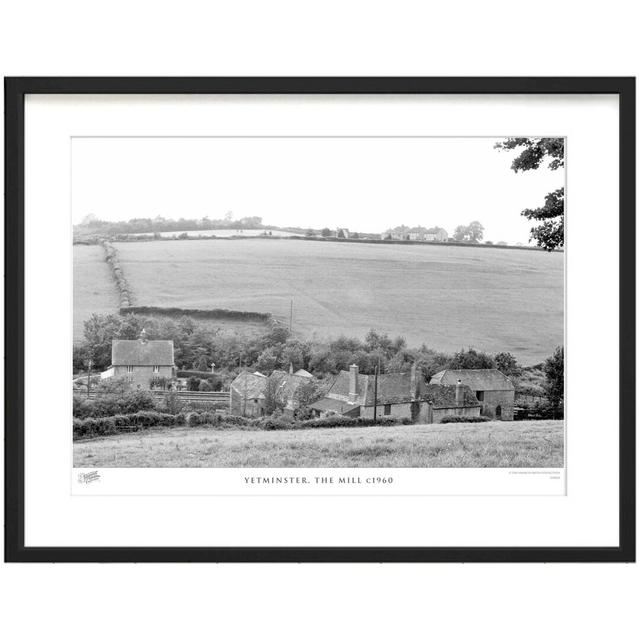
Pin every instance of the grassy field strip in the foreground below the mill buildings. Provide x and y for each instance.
(489, 444)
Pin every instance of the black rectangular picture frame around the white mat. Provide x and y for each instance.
(15, 91)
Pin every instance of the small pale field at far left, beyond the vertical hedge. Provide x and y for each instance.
(94, 290)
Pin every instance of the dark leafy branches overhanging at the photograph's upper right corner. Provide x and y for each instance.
(534, 153)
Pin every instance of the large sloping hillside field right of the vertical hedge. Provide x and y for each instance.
(446, 297)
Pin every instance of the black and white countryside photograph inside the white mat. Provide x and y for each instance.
(318, 301)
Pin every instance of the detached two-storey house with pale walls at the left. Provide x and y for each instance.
(141, 361)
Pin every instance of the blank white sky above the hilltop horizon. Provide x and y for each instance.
(363, 184)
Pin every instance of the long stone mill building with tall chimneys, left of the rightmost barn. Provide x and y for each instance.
(399, 395)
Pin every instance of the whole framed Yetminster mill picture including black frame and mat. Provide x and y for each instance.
(320, 319)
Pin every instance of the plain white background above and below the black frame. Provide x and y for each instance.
(329, 38)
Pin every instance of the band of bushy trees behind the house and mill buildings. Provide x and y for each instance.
(198, 345)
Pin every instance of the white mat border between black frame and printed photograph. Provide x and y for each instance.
(587, 516)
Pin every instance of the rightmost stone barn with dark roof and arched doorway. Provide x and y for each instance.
(492, 388)
